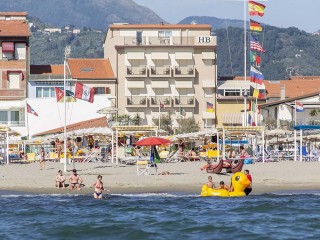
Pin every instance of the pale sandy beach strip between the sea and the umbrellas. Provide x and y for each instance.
(185, 177)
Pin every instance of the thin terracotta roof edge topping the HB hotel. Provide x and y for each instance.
(160, 26)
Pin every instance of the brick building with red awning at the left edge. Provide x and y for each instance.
(14, 66)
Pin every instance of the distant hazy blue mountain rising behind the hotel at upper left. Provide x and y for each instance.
(96, 14)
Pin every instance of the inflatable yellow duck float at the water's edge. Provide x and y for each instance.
(239, 182)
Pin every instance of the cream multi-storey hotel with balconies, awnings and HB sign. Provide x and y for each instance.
(170, 65)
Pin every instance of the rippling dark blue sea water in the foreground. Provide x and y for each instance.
(160, 216)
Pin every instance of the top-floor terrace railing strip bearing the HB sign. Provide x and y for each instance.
(174, 41)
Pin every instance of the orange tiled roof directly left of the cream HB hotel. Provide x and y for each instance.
(85, 68)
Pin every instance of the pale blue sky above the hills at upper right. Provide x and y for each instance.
(303, 14)
